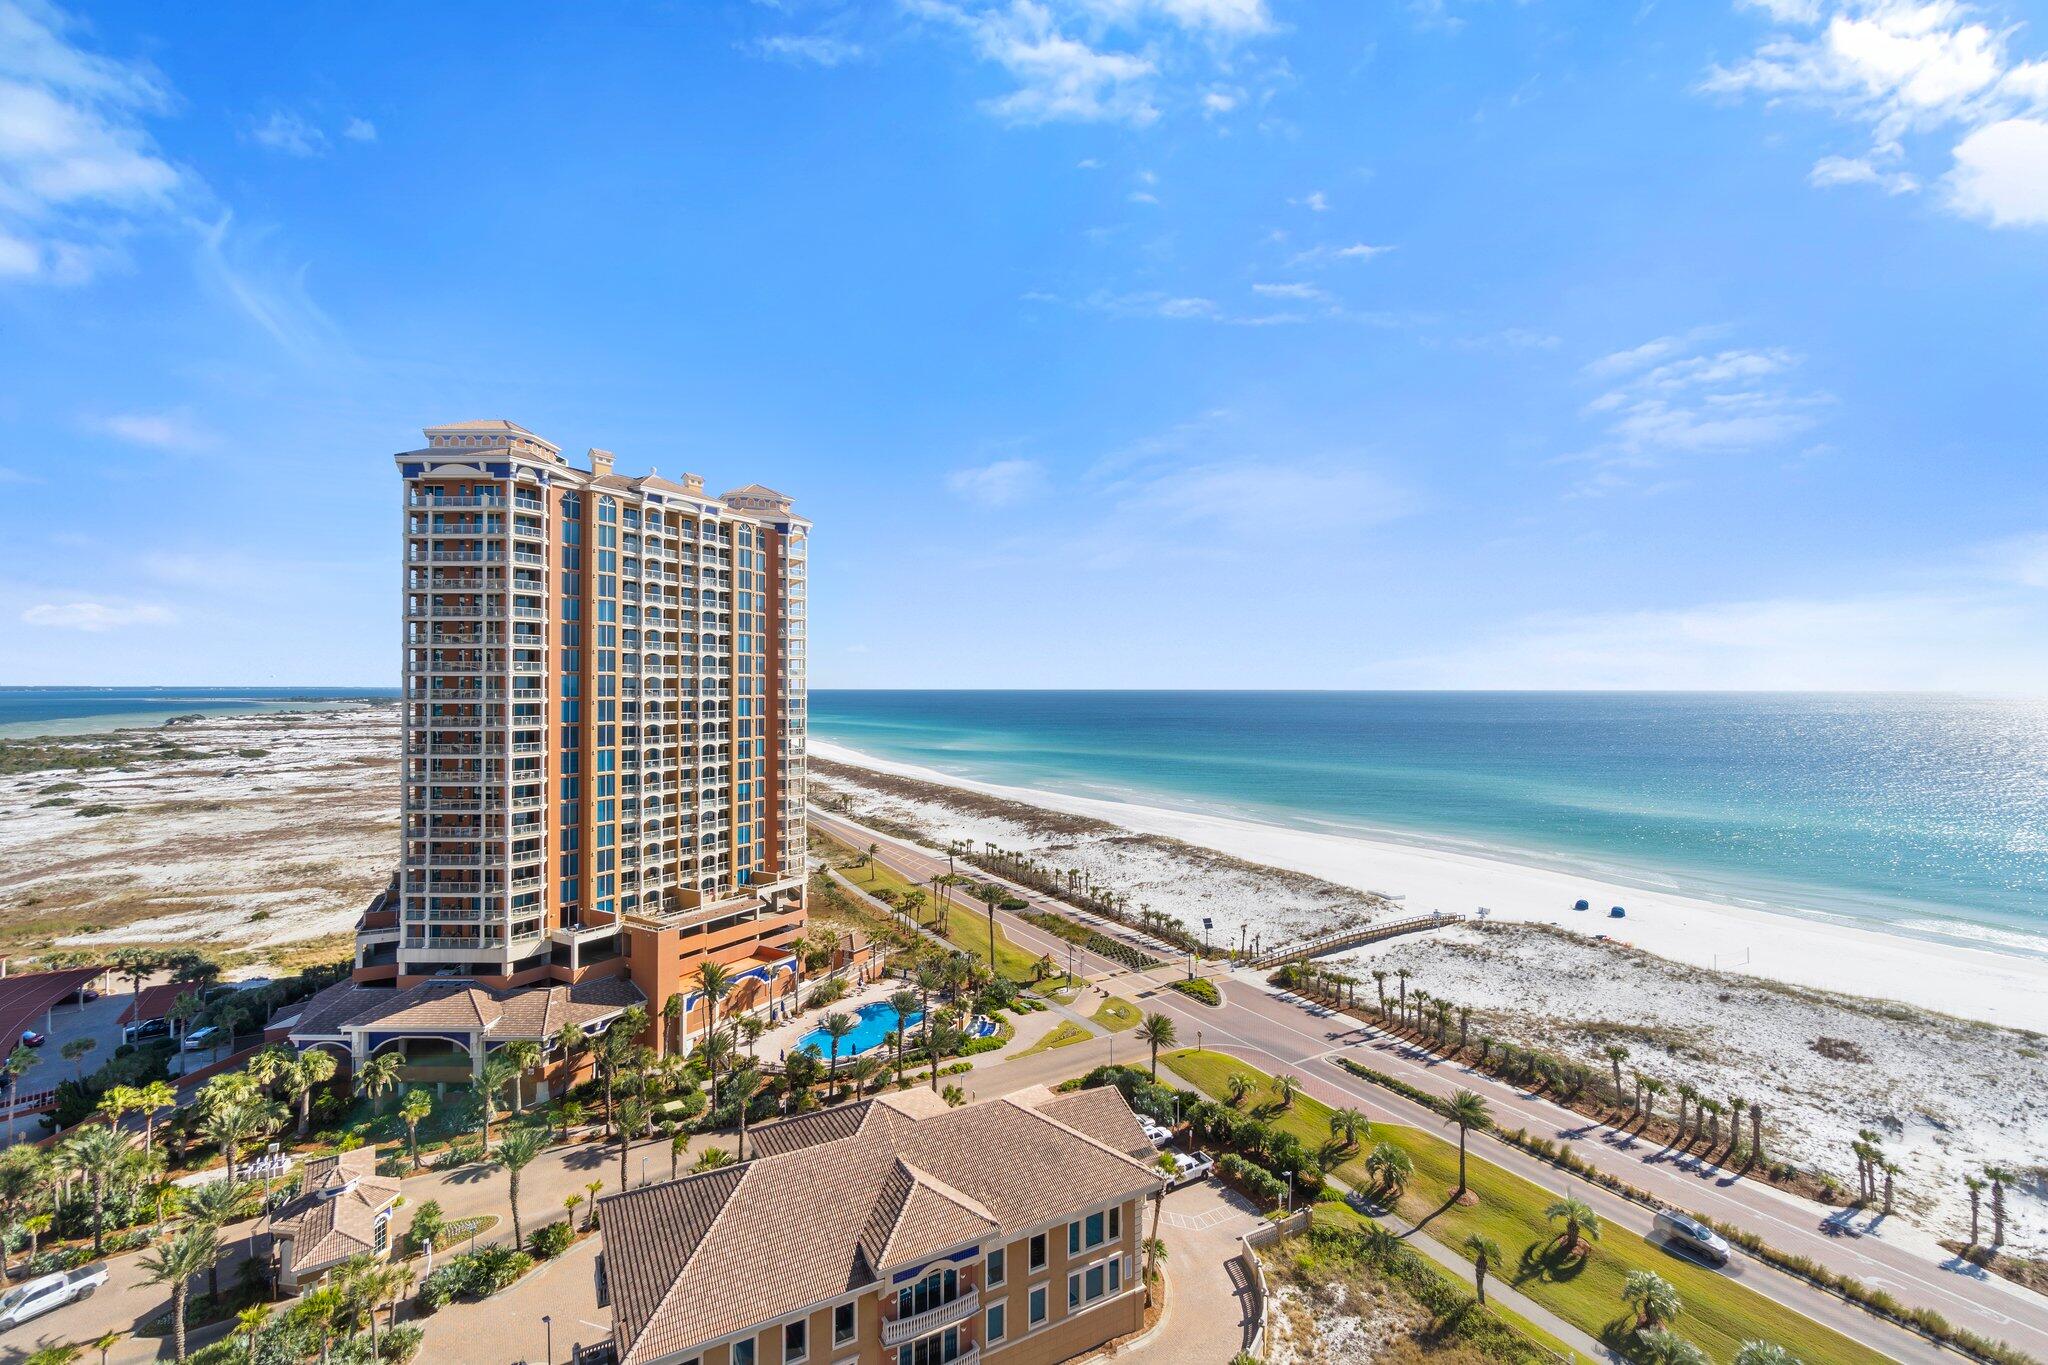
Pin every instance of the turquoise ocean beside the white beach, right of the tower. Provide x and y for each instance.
(1920, 813)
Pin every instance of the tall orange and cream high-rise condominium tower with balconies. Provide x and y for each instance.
(605, 721)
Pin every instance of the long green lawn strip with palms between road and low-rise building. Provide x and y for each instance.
(1721, 1315)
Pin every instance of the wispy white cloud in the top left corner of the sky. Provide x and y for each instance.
(77, 165)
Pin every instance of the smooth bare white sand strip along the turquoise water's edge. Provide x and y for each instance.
(1787, 946)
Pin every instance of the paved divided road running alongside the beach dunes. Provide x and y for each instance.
(1281, 1032)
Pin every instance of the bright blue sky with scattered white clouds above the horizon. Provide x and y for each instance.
(1111, 343)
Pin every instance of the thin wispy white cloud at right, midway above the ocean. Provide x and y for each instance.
(1670, 398)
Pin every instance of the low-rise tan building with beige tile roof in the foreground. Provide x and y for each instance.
(894, 1233)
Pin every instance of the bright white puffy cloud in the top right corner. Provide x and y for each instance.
(1906, 71)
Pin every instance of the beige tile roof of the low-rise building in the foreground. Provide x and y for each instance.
(833, 1200)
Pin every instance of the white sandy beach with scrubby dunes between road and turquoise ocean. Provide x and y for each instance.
(1834, 1028)
